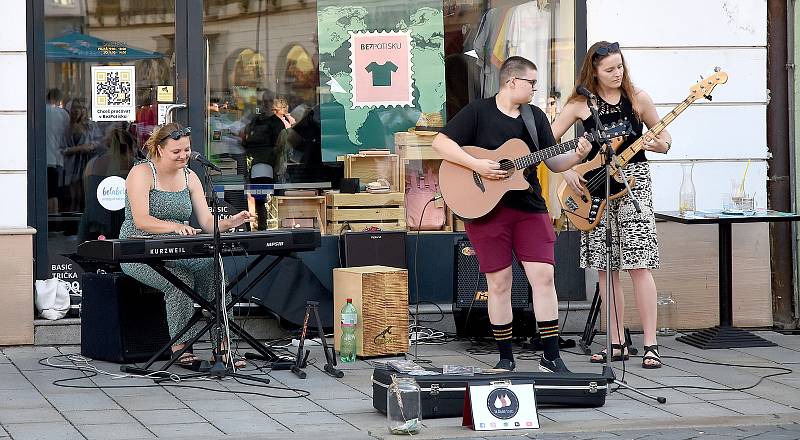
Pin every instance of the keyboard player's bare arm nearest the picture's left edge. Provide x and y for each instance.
(137, 186)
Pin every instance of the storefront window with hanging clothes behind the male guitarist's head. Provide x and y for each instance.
(480, 35)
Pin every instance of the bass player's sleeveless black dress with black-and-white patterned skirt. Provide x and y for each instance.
(634, 241)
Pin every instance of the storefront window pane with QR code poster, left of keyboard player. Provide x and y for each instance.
(105, 61)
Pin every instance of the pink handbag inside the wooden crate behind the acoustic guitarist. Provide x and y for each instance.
(420, 190)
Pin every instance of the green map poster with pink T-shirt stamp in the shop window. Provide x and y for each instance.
(381, 65)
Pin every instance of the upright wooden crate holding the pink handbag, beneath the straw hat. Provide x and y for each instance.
(416, 152)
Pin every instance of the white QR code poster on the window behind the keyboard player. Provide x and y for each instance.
(113, 97)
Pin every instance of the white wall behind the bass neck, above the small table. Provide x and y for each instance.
(668, 46)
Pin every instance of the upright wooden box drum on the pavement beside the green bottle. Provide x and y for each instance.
(380, 295)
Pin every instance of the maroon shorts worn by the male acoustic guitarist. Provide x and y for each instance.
(529, 235)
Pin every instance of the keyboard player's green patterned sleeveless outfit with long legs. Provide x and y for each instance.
(173, 206)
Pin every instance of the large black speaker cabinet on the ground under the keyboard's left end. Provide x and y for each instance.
(121, 320)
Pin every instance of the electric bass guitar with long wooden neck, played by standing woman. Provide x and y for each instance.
(585, 211)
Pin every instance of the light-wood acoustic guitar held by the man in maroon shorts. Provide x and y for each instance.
(470, 195)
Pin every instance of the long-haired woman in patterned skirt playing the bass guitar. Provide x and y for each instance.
(635, 244)
